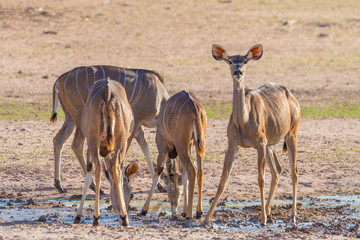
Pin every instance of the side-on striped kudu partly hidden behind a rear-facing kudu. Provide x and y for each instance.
(145, 92)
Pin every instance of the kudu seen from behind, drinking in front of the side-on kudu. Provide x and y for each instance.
(106, 122)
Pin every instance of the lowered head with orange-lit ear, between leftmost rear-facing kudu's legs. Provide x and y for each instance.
(127, 177)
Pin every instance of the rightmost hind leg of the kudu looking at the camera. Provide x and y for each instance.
(291, 142)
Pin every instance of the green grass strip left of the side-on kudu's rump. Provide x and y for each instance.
(27, 111)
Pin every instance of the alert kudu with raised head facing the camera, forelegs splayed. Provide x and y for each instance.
(260, 119)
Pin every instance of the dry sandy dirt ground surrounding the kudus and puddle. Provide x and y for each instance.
(312, 47)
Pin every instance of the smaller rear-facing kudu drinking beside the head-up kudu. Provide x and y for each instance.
(182, 121)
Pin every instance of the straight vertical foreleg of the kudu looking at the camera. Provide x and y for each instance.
(261, 179)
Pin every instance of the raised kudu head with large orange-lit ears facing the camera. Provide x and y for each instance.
(237, 63)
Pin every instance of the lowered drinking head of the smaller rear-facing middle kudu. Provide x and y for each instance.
(174, 183)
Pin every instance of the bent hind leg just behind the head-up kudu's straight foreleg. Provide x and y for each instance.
(275, 169)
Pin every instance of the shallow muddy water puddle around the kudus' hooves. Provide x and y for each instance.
(336, 214)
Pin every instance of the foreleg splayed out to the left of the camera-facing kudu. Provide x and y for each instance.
(228, 163)
